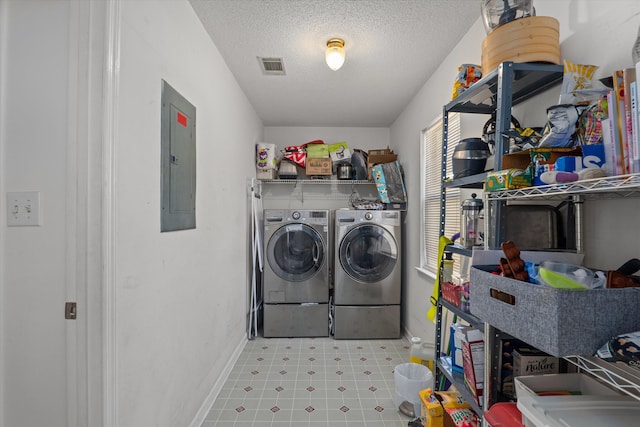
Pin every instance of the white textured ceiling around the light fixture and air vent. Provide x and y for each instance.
(392, 47)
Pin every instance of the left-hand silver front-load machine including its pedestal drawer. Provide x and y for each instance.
(296, 273)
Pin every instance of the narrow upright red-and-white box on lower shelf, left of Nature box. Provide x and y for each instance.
(473, 363)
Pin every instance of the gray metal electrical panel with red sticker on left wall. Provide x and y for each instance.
(178, 135)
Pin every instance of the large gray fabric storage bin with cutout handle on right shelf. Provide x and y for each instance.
(560, 322)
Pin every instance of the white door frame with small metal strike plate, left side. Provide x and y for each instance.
(94, 46)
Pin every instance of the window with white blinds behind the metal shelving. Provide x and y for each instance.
(431, 191)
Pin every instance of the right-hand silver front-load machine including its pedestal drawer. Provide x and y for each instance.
(367, 284)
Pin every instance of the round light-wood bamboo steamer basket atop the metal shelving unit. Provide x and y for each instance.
(531, 39)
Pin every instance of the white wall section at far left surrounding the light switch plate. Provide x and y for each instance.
(33, 126)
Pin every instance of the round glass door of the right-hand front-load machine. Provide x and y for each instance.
(368, 253)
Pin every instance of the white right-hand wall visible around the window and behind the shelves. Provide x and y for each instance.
(591, 32)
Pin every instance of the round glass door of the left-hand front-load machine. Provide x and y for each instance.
(295, 252)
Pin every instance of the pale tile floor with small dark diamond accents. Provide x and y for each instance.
(312, 382)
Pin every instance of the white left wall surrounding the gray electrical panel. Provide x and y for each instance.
(181, 296)
